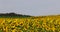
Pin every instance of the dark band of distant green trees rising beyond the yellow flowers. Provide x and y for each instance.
(13, 15)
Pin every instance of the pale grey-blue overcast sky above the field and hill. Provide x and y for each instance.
(30, 7)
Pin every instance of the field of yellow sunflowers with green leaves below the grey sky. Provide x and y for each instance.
(30, 24)
